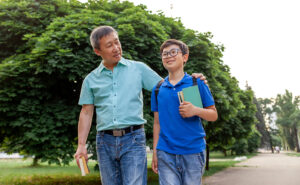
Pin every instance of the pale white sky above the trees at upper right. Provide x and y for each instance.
(261, 38)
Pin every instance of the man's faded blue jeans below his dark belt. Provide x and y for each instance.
(122, 160)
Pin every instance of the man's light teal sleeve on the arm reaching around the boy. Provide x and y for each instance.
(149, 77)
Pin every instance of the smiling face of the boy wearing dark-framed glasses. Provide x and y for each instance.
(173, 59)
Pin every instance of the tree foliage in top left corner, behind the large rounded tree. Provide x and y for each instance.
(21, 20)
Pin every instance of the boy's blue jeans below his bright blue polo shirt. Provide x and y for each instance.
(180, 169)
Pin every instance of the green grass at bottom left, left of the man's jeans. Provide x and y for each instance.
(19, 171)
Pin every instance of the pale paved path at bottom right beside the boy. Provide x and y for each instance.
(263, 169)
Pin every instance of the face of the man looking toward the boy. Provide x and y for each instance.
(110, 49)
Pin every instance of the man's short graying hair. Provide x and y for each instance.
(98, 33)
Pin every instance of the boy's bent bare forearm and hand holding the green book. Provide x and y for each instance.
(187, 109)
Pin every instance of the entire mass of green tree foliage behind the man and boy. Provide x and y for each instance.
(40, 80)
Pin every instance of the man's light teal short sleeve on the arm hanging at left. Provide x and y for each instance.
(86, 94)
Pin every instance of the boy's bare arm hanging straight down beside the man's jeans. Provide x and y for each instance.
(156, 130)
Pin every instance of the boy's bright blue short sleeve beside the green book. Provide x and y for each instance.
(206, 96)
